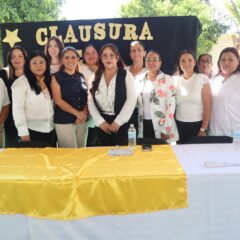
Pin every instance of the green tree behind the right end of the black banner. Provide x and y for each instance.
(211, 28)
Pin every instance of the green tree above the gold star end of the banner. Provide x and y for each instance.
(13, 11)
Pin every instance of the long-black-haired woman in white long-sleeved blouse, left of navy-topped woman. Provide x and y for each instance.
(32, 103)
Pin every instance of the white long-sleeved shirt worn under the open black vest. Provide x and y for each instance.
(105, 97)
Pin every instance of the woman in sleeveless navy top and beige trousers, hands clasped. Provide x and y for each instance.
(70, 96)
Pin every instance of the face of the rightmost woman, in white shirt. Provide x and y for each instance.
(228, 63)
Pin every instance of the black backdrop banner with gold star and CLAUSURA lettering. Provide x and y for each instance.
(168, 35)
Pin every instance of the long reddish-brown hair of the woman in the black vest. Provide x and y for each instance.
(101, 68)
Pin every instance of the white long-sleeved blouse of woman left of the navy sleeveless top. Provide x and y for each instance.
(31, 110)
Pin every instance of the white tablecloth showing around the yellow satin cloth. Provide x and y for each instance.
(213, 212)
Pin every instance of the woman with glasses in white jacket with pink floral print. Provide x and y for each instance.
(158, 102)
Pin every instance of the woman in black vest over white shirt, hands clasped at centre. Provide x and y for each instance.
(112, 98)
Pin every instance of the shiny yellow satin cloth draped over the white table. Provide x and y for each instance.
(78, 183)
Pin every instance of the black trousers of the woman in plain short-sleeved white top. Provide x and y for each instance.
(187, 130)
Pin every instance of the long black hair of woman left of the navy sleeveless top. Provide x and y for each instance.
(32, 80)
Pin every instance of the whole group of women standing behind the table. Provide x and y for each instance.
(53, 98)
